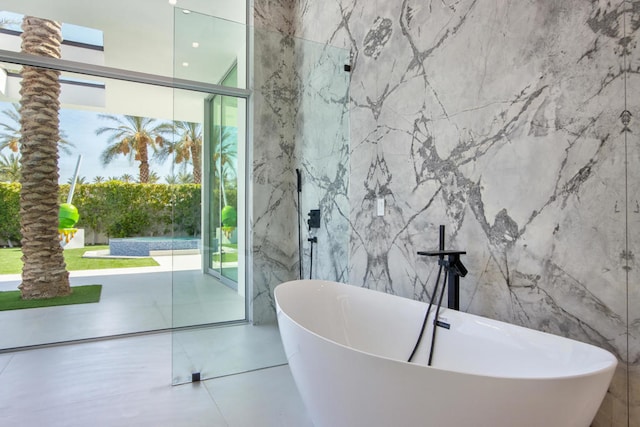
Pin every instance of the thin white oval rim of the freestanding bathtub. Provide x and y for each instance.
(301, 282)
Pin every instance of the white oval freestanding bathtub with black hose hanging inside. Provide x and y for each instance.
(348, 347)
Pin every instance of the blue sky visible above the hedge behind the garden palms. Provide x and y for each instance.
(79, 127)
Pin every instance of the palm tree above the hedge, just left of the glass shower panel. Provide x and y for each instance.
(131, 136)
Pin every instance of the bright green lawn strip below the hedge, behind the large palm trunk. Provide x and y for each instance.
(10, 262)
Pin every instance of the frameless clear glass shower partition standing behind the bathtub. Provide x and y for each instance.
(213, 331)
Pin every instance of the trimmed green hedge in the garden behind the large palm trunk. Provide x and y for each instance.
(119, 209)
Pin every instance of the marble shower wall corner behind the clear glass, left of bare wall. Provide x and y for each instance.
(301, 115)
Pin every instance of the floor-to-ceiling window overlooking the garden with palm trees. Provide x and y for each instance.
(155, 69)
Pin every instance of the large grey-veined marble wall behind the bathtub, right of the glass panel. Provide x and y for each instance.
(504, 122)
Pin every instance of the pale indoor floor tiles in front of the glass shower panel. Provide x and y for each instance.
(126, 382)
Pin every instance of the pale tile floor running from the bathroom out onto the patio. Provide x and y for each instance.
(127, 381)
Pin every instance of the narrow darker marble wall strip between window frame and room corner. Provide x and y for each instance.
(273, 222)
